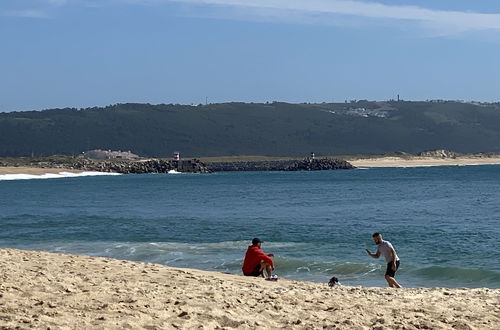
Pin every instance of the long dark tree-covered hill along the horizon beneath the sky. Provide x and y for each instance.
(275, 129)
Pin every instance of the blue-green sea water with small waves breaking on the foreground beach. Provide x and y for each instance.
(443, 221)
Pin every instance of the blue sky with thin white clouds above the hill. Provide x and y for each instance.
(85, 53)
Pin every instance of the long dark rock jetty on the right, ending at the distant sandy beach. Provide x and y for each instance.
(281, 165)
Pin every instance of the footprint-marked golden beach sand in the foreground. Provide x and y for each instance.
(45, 290)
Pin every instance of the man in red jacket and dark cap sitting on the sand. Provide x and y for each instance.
(256, 261)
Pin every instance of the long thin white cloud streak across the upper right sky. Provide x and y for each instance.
(446, 22)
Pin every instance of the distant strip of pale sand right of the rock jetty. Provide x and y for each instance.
(422, 161)
